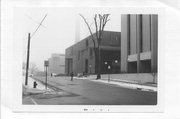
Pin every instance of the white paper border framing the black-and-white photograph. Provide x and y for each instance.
(17, 105)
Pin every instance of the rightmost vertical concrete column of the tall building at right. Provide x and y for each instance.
(154, 42)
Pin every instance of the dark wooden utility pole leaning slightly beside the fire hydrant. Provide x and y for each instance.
(27, 63)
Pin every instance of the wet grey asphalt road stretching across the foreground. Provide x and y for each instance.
(86, 92)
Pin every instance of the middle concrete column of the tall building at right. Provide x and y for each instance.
(138, 40)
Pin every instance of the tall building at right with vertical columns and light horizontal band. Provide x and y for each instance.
(139, 41)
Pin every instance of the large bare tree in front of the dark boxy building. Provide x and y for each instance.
(100, 23)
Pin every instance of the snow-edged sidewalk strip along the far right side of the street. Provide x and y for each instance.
(123, 83)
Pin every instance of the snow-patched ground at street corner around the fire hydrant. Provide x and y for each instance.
(29, 90)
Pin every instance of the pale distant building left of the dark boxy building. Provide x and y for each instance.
(56, 64)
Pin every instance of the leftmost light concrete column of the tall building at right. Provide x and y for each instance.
(125, 24)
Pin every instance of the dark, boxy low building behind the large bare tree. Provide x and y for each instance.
(80, 57)
